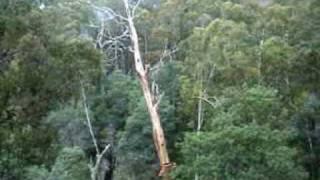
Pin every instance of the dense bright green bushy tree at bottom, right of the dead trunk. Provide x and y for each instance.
(241, 141)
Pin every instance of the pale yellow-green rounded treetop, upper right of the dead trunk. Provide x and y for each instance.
(223, 45)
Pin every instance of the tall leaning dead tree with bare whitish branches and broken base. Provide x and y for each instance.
(152, 98)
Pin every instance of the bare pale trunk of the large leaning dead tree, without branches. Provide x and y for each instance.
(152, 104)
